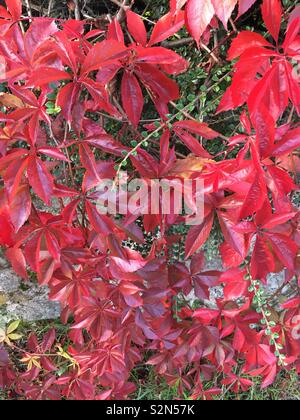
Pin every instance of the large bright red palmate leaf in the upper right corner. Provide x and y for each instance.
(278, 84)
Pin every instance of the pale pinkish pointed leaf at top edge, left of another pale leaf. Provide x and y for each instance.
(198, 16)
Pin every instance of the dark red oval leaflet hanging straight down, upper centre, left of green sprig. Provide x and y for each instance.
(132, 98)
